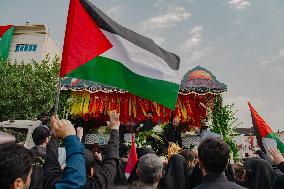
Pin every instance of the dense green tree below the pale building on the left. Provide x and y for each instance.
(27, 89)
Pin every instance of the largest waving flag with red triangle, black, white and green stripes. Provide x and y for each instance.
(98, 49)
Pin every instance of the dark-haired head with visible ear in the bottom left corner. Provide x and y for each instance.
(16, 166)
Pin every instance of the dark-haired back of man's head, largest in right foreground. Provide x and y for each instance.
(213, 155)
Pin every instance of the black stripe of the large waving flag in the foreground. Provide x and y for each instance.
(107, 24)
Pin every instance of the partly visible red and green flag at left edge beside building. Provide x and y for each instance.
(6, 33)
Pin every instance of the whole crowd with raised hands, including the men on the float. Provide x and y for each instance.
(207, 167)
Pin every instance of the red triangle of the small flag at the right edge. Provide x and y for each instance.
(262, 126)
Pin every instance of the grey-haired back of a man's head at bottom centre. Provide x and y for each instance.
(150, 169)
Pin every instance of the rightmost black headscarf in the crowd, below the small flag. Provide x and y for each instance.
(260, 174)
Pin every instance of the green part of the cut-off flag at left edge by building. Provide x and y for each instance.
(5, 43)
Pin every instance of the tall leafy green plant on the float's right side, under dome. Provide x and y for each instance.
(224, 122)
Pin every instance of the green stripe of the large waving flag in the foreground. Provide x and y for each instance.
(114, 73)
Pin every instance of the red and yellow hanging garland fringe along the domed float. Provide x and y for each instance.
(133, 109)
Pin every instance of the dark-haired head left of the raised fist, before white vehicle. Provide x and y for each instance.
(41, 135)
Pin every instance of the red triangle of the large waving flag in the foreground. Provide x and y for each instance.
(83, 39)
